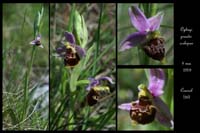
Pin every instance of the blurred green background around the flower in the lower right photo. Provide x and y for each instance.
(128, 81)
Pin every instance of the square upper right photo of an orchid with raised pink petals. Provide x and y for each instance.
(145, 34)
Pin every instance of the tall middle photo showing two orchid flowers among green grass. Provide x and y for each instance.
(82, 66)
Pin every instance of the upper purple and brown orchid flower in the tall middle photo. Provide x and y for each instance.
(71, 52)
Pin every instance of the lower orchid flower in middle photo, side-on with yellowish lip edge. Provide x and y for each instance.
(97, 90)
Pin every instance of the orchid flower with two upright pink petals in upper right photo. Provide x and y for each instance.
(147, 36)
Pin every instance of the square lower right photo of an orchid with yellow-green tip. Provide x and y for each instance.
(145, 99)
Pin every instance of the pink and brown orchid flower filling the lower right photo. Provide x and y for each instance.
(149, 105)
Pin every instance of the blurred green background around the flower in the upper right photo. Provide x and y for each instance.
(124, 28)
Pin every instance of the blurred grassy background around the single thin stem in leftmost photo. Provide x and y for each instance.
(18, 32)
